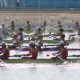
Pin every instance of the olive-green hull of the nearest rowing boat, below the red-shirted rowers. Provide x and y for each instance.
(38, 61)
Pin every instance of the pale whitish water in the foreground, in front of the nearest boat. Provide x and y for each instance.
(39, 72)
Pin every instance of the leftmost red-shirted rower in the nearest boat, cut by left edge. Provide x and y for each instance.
(5, 52)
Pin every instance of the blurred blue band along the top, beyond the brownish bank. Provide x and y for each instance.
(39, 4)
